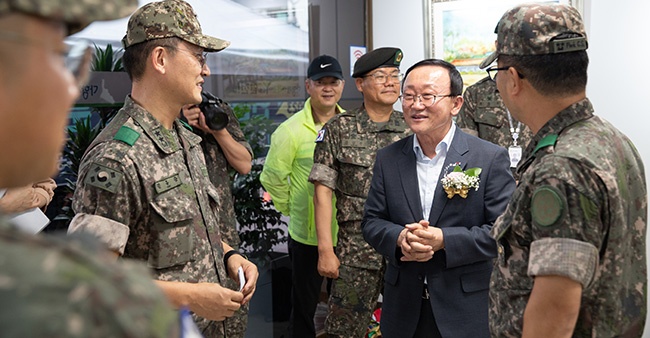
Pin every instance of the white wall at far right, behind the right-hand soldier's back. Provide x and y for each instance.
(618, 71)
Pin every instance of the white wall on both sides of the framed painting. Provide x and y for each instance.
(619, 49)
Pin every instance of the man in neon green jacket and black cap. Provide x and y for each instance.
(284, 176)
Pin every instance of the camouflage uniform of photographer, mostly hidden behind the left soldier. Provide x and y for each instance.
(219, 172)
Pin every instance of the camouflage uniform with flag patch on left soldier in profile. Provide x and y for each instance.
(139, 175)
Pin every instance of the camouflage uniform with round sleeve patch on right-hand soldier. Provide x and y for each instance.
(580, 211)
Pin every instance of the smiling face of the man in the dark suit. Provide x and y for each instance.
(433, 121)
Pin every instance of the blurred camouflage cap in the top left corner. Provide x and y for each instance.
(76, 14)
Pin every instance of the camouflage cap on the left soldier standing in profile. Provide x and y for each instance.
(169, 18)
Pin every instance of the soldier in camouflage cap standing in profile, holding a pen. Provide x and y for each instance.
(143, 185)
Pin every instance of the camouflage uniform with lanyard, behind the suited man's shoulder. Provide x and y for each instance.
(484, 115)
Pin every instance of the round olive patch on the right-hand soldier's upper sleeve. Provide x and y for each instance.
(546, 206)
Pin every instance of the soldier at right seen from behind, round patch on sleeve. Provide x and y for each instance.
(572, 242)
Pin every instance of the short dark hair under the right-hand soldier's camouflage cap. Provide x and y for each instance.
(552, 74)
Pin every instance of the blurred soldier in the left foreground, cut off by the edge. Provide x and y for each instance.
(53, 287)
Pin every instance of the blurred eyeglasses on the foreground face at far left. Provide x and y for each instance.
(76, 53)
